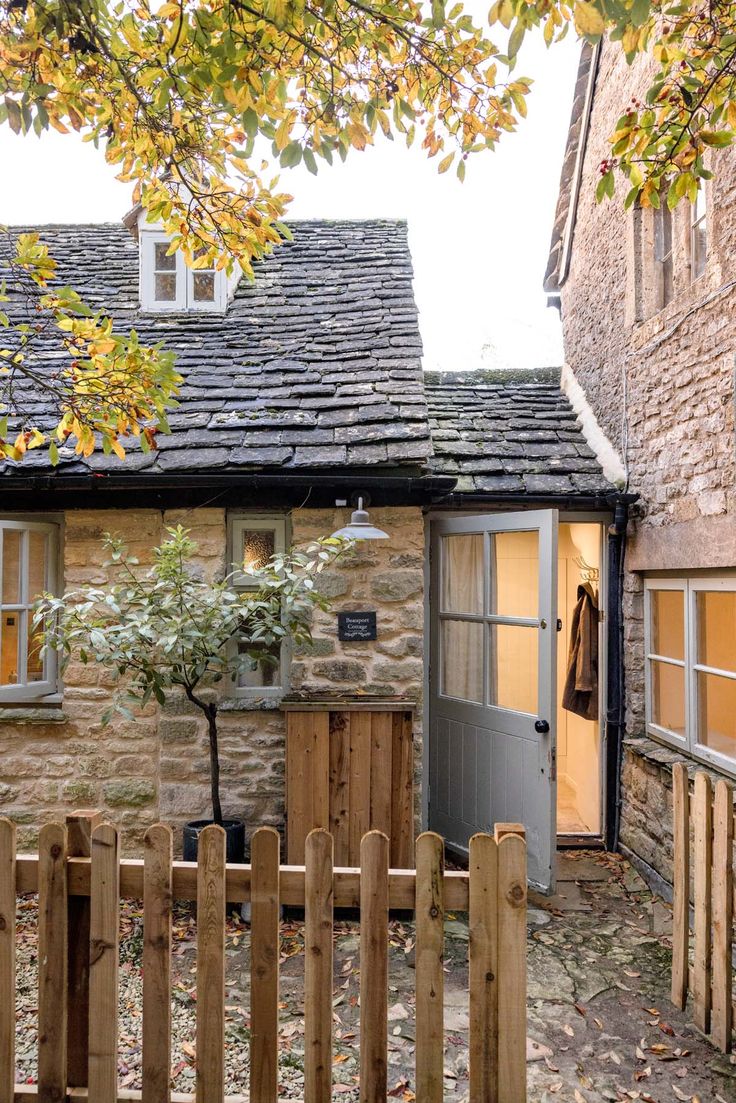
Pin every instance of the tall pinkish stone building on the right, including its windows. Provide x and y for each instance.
(648, 304)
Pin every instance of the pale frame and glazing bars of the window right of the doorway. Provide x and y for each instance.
(690, 588)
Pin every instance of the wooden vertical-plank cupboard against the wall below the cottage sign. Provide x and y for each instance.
(351, 770)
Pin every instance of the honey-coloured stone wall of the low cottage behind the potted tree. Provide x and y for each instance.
(156, 767)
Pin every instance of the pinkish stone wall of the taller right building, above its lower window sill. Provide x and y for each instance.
(660, 382)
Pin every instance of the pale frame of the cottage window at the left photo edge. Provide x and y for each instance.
(24, 692)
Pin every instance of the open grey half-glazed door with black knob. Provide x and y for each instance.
(493, 680)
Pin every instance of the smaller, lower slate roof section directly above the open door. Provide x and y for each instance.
(509, 433)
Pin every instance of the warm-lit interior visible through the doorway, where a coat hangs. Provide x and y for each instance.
(580, 796)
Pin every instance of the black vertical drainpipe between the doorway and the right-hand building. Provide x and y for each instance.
(616, 706)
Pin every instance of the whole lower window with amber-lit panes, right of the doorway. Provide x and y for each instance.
(691, 666)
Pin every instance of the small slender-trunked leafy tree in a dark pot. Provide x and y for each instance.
(168, 629)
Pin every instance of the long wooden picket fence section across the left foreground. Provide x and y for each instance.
(81, 880)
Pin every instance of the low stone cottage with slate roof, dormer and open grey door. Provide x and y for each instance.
(303, 392)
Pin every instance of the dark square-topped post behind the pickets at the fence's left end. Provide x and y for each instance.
(80, 827)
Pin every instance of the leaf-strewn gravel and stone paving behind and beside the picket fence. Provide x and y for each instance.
(601, 1024)
